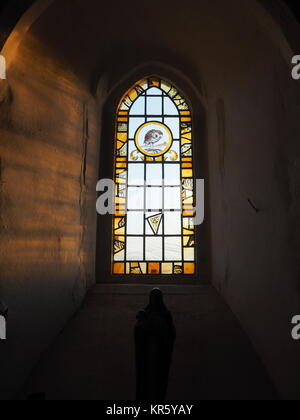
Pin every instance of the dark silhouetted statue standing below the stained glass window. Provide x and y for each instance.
(154, 340)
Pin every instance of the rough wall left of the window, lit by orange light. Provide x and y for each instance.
(49, 131)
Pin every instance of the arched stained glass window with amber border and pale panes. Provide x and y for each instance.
(153, 226)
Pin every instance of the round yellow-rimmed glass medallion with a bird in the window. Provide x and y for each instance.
(153, 139)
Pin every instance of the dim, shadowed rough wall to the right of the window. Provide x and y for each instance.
(255, 184)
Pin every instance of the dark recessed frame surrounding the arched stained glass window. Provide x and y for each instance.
(106, 170)
